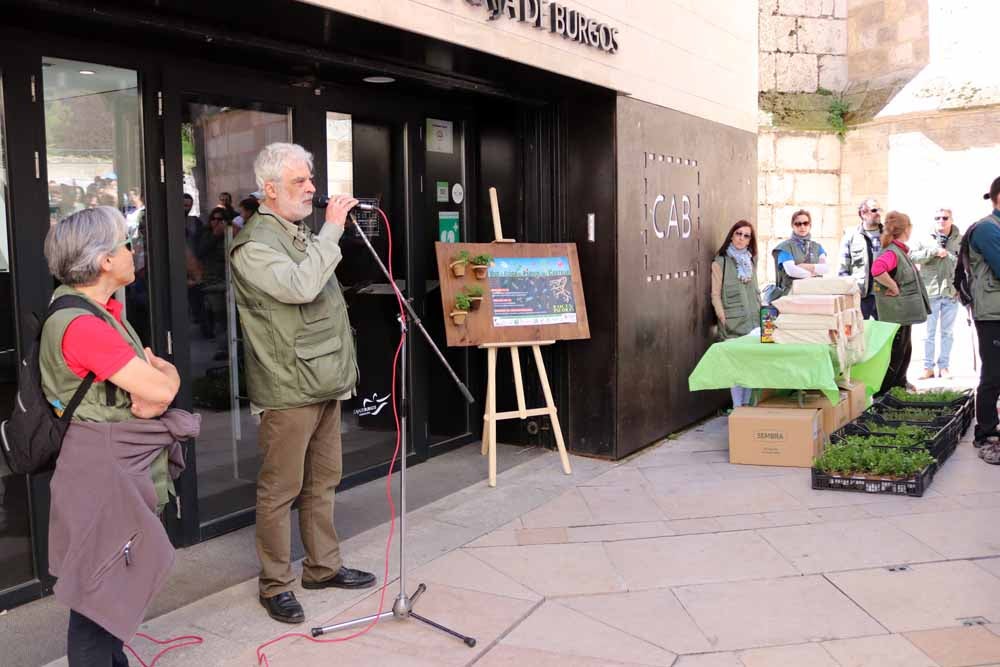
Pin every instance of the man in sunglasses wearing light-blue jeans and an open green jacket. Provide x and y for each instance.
(936, 255)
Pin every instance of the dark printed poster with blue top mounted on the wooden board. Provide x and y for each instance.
(531, 291)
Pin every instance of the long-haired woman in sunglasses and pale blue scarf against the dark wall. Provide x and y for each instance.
(735, 296)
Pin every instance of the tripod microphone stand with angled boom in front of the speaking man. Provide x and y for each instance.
(402, 608)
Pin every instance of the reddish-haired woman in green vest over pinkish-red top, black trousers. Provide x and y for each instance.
(900, 295)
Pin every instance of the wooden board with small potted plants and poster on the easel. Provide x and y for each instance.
(496, 293)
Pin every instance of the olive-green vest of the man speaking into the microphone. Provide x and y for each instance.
(296, 354)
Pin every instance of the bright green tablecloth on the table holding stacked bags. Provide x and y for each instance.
(749, 363)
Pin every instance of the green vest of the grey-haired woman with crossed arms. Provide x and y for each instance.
(59, 383)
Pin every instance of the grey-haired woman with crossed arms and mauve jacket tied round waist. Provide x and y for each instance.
(107, 545)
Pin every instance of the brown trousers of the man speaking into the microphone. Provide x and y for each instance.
(300, 453)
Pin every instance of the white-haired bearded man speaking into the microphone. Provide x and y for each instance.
(300, 363)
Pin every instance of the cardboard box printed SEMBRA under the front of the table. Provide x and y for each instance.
(775, 436)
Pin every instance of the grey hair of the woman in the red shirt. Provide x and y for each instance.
(76, 245)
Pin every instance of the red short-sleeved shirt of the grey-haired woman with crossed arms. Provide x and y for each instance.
(91, 344)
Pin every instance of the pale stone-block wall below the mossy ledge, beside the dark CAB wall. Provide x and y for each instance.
(797, 170)
